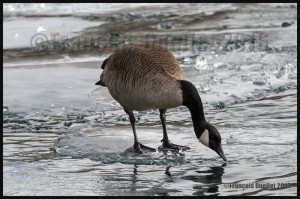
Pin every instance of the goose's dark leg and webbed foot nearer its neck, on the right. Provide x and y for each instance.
(166, 144)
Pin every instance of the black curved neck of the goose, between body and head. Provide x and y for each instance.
(192, 100)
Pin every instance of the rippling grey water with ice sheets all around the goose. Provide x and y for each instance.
(62, 135)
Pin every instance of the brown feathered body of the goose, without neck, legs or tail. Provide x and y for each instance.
(142, 77)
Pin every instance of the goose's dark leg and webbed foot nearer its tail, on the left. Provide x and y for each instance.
(137, 146)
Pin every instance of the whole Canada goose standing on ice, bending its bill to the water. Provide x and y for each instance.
(142, 77)
